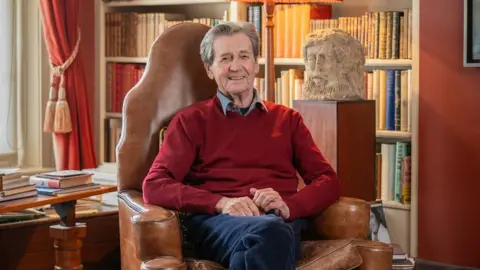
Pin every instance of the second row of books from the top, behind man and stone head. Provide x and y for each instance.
(390, 88)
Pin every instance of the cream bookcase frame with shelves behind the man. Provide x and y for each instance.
(238, 11)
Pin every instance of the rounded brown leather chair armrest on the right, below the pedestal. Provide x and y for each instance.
(346, 218)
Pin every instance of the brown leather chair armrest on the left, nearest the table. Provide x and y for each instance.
(155, 231)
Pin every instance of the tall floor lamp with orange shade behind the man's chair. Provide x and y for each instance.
(269, 6)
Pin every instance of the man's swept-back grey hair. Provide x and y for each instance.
(227, 29)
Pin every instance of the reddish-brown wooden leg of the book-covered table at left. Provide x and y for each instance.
(68, 237)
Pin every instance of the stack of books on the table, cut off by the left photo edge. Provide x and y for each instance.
(14, 184)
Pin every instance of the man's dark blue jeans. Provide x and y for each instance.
(246, 243)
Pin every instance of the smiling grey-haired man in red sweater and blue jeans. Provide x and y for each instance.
(231, 162)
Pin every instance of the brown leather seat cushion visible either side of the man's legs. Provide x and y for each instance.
(316, 255)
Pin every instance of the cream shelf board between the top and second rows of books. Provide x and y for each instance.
(406, 63)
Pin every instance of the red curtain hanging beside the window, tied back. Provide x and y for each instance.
(74, 149)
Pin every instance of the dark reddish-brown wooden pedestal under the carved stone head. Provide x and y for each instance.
(345, 133)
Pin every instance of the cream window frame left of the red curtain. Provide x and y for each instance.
(34, 147)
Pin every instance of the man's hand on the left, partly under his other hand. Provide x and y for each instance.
(243, 206)
